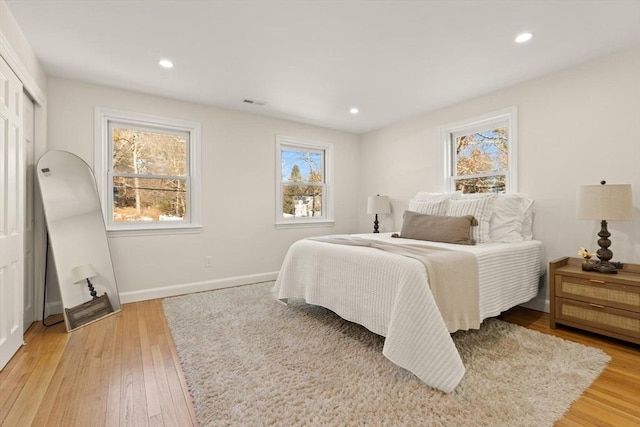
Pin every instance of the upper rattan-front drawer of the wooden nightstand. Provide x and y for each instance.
(598, 291)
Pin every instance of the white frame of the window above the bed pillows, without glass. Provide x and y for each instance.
(506, 117)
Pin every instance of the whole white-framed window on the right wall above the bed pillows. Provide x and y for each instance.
(480, 154)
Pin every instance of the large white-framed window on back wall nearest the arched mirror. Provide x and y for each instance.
(147, 171)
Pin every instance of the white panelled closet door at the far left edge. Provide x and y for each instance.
(12, 179)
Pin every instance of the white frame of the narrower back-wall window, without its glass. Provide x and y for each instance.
(327, 219)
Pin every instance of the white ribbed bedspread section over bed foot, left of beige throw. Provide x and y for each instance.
(387, 293)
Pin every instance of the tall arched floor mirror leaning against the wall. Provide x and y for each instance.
(77, 239)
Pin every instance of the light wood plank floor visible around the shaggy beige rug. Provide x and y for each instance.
(123, 370)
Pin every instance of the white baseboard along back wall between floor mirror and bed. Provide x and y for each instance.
(188, 288)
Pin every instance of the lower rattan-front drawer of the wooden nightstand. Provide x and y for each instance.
(598, 318)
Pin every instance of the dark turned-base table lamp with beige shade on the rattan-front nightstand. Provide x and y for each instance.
(605, 203)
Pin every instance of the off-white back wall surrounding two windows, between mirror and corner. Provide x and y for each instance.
(238, 176)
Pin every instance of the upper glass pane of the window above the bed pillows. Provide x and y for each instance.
(482, 152)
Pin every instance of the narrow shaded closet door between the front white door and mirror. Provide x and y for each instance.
(28, 120)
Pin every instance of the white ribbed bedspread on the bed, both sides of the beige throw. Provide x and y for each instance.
(389, 294)
